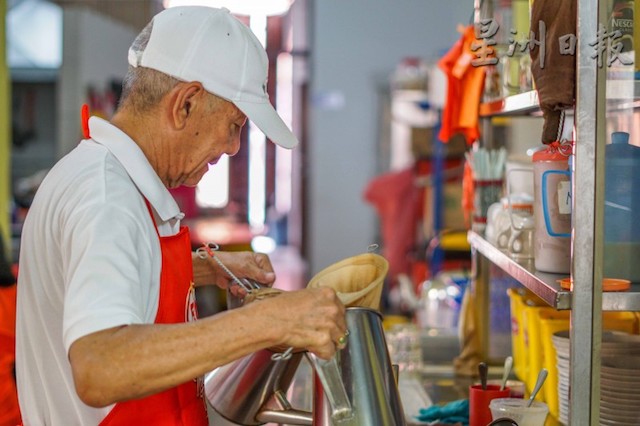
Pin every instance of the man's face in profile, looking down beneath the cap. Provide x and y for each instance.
(212, 131)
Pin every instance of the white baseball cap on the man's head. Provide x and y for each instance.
(209, 45)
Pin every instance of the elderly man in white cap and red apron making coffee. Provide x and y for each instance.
(106, 330)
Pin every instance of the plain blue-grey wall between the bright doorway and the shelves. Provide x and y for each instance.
(355, 45)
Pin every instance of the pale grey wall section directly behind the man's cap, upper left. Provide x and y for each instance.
(94, 53)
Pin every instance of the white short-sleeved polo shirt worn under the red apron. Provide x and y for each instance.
(89, 260)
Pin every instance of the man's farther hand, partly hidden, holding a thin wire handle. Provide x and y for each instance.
(253, 266)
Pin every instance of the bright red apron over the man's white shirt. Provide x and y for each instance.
(184, 404)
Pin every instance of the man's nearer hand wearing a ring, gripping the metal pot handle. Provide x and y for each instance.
(312, 319)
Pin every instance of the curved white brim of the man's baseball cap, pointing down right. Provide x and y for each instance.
(269, 122)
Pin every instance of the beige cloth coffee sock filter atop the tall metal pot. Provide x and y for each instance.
(357, 280)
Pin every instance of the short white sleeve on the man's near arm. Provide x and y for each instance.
(109, 278)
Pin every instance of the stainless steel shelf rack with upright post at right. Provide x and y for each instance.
(596, 99)
